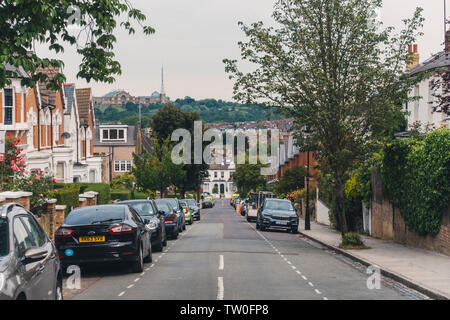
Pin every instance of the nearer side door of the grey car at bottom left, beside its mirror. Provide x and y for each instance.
(29, 273)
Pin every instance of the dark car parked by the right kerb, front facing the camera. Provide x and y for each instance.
(277, 214)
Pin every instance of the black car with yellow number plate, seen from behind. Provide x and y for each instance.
(109, 233)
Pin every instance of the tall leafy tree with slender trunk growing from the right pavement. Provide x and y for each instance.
(331, 66)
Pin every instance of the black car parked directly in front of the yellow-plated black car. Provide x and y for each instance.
(153, 218)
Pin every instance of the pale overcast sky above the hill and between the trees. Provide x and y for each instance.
(194, 36)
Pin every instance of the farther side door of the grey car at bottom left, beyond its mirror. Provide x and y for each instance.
(49, 266)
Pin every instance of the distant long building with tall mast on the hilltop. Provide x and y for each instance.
(122, 97)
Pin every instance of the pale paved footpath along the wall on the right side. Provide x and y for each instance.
(425, 271)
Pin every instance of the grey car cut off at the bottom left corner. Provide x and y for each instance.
(29, 264)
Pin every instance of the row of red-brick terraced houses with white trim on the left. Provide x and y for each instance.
(50, 129)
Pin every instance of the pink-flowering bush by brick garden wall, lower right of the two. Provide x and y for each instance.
(40, 183)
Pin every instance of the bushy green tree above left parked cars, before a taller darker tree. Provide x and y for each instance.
(157, 172)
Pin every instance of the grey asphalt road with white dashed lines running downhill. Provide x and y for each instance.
(224, 257)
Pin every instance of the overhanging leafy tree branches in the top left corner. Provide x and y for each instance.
(24, 23)
